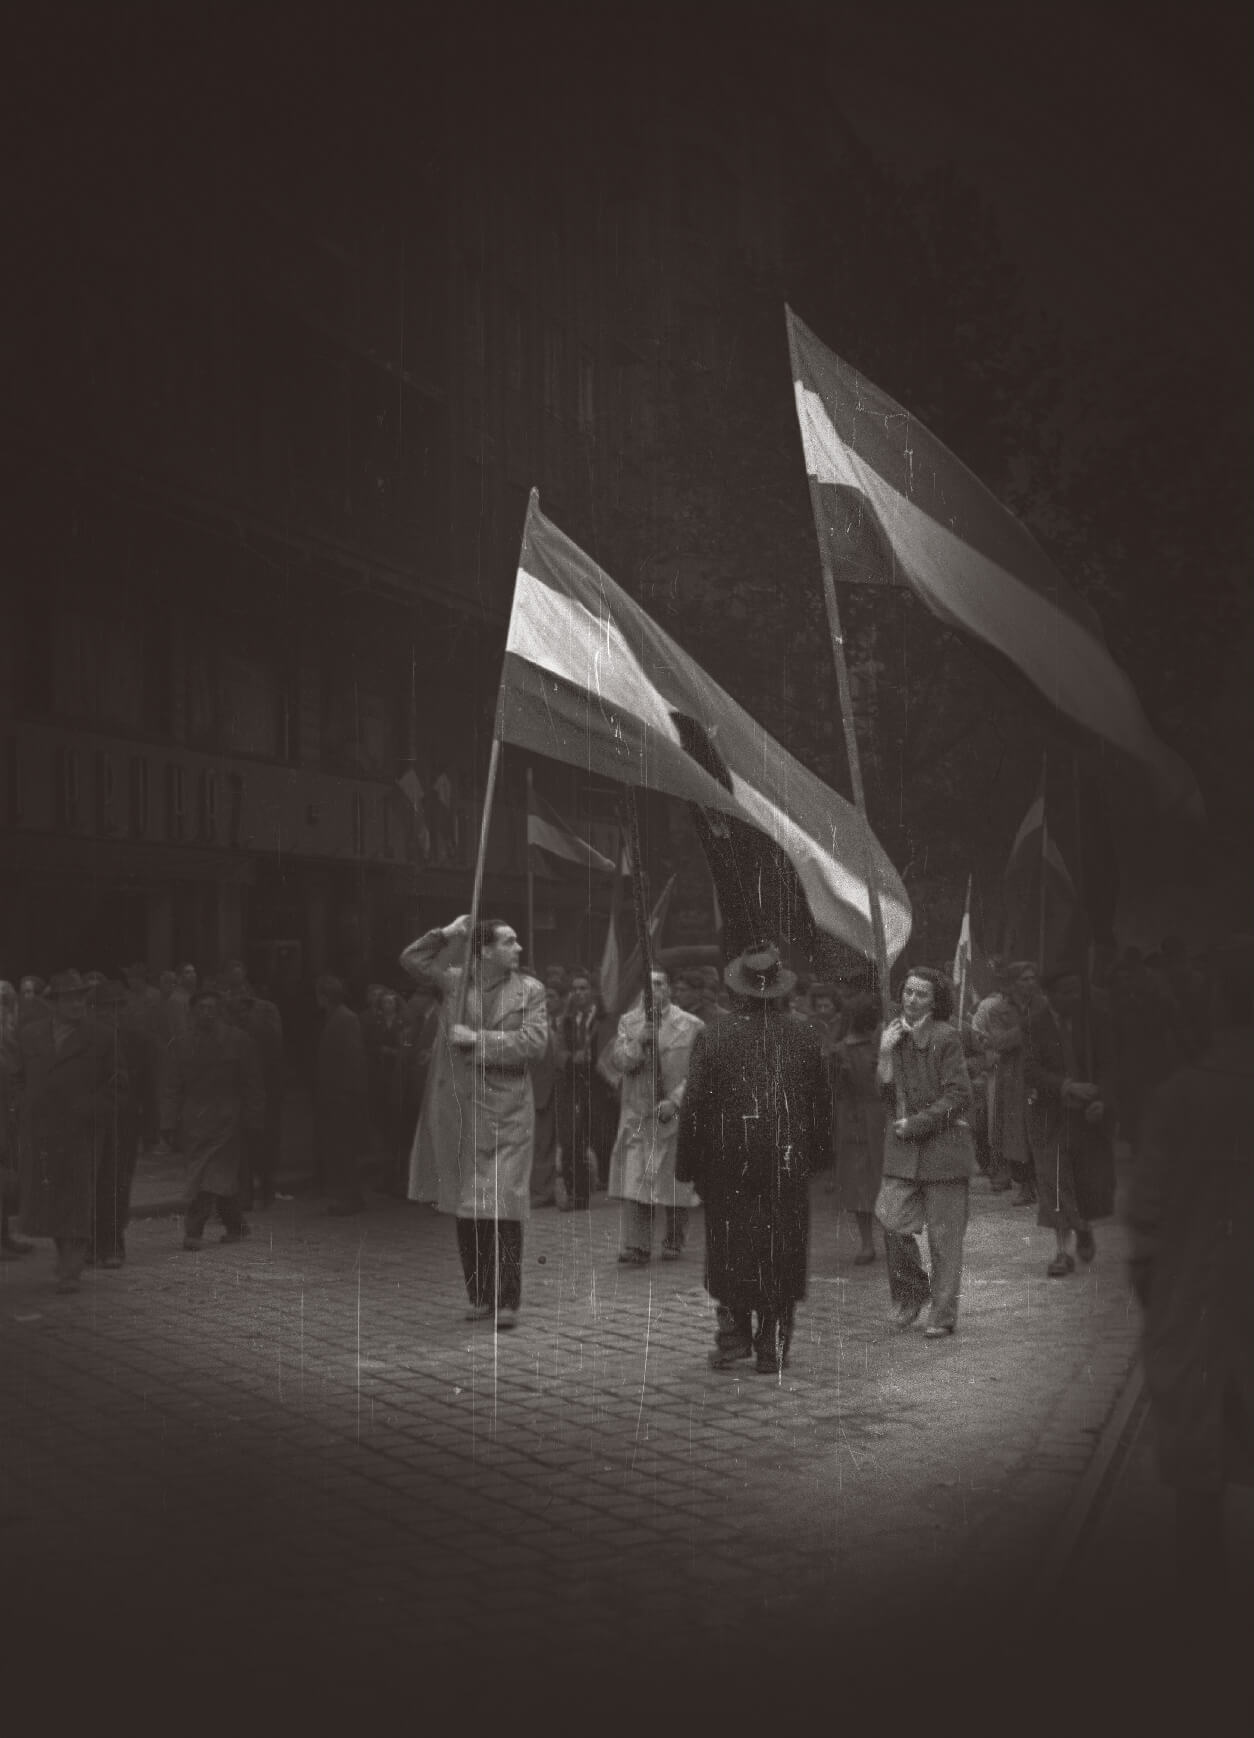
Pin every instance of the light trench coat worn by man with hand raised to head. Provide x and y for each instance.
(475, 1141)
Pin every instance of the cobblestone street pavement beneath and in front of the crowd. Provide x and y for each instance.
(300, 1443)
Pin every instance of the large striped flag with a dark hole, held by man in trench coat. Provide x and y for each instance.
(590, 679)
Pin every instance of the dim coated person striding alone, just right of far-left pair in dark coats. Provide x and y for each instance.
(213, 1096)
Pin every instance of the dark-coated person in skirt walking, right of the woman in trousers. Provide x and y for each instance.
(1071, 1122)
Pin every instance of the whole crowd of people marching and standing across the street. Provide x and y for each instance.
(491, 1094)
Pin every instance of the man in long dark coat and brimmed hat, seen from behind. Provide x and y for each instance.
(753, 1125)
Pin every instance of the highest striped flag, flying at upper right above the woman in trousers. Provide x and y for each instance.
(894, 505)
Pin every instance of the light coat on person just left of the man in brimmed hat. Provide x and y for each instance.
(643, 1160)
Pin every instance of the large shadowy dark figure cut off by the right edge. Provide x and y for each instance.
(1192, 1217)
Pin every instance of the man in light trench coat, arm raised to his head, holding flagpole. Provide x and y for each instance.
(477, 1134)
